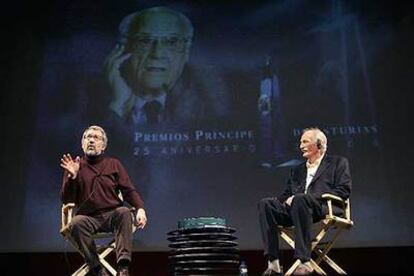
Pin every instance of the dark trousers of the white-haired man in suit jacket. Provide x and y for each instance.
(303, 212)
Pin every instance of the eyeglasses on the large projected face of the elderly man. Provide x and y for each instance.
(172, 43)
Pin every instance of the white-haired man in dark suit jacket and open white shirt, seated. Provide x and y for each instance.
(301, 204)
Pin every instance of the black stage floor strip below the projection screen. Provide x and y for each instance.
(381, 260)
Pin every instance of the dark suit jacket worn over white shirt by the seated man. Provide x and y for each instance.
(333, 176)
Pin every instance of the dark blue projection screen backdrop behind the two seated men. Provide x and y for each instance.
(343, 66)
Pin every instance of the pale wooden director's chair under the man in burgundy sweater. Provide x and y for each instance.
(103, 250)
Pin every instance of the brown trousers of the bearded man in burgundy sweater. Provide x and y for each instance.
(118, 221)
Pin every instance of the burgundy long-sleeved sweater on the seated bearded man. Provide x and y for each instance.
(97, 184)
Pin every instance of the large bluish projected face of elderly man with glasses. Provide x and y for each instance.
(159, 41)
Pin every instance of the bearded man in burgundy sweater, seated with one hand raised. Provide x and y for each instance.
(93, 182)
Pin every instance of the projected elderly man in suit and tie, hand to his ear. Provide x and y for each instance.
(149, 76)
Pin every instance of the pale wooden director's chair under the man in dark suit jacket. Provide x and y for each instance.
(329, 228)
